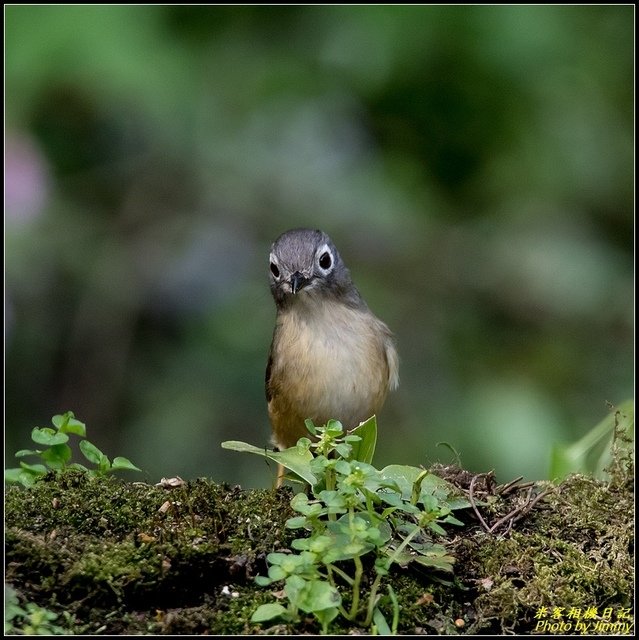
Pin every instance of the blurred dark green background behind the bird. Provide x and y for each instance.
(473, 164)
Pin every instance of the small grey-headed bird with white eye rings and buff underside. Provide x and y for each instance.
(330, 356)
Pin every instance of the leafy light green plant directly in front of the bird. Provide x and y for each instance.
(358, 522)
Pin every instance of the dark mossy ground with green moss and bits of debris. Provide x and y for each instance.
(132, 558)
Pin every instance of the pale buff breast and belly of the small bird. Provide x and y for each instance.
(335, 363)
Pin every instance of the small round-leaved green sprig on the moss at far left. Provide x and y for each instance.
(57, 454)
